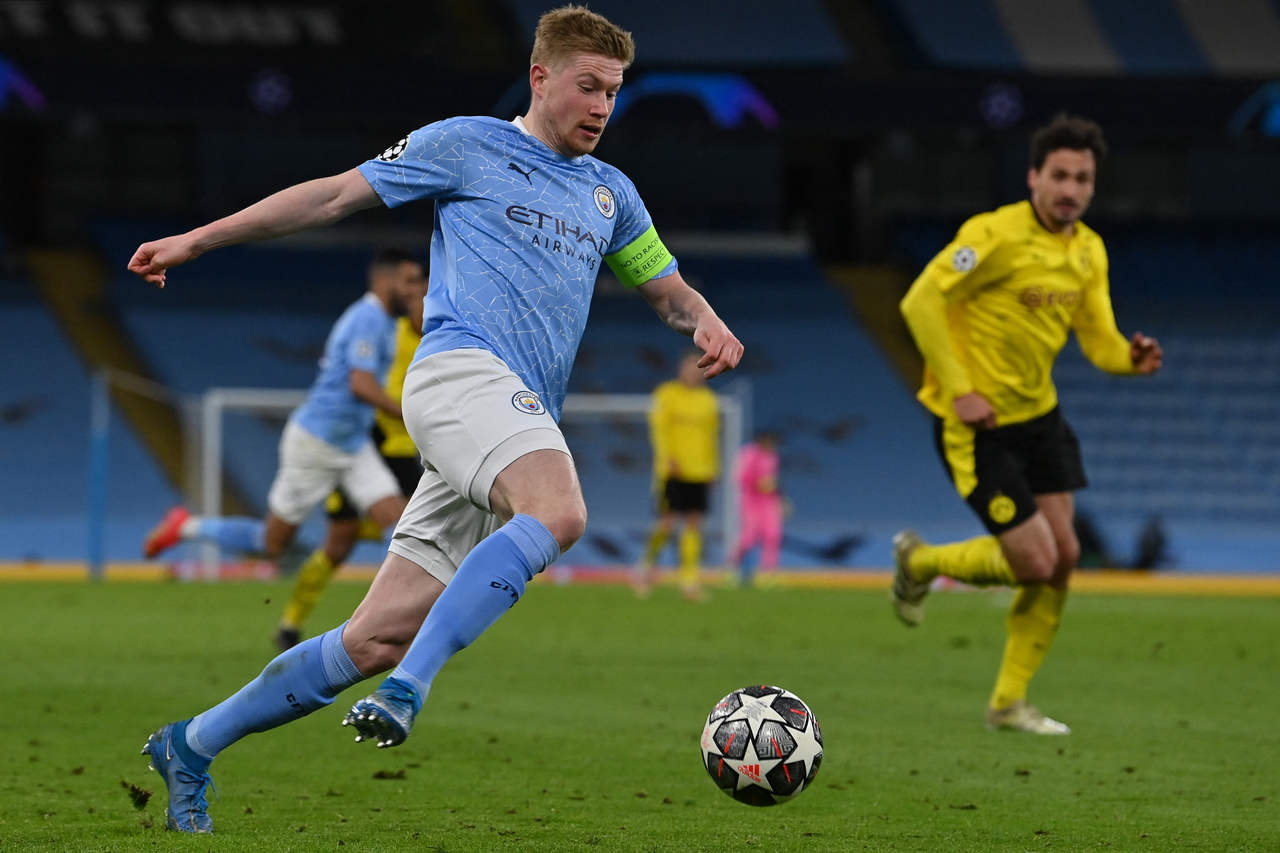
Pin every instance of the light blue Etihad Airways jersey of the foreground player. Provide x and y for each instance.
(519, 239)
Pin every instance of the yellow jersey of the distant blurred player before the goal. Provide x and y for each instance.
(684, 426)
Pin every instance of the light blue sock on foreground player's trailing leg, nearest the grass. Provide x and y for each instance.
(301, 681)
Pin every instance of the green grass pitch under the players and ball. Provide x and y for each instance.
(574, 724)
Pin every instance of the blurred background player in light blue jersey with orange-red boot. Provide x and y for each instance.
(326, 441)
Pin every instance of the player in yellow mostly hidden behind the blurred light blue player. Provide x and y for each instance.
(346, 528)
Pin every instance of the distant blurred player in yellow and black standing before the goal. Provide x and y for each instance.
(684, 428)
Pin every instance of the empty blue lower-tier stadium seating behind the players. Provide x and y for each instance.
(1187, 449)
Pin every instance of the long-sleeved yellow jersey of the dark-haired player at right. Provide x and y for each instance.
(994, 309)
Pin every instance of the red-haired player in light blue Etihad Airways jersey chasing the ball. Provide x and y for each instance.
(524, 220)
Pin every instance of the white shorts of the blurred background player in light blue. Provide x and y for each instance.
(312, 468)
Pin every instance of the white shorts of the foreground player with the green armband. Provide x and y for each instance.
(470, 418)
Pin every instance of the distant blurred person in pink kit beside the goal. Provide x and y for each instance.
(761, 509)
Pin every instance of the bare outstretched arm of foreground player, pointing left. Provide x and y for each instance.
(305, 206)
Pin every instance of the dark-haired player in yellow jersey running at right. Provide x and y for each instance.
(990, 314)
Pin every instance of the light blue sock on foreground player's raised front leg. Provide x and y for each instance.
(488, 583)
